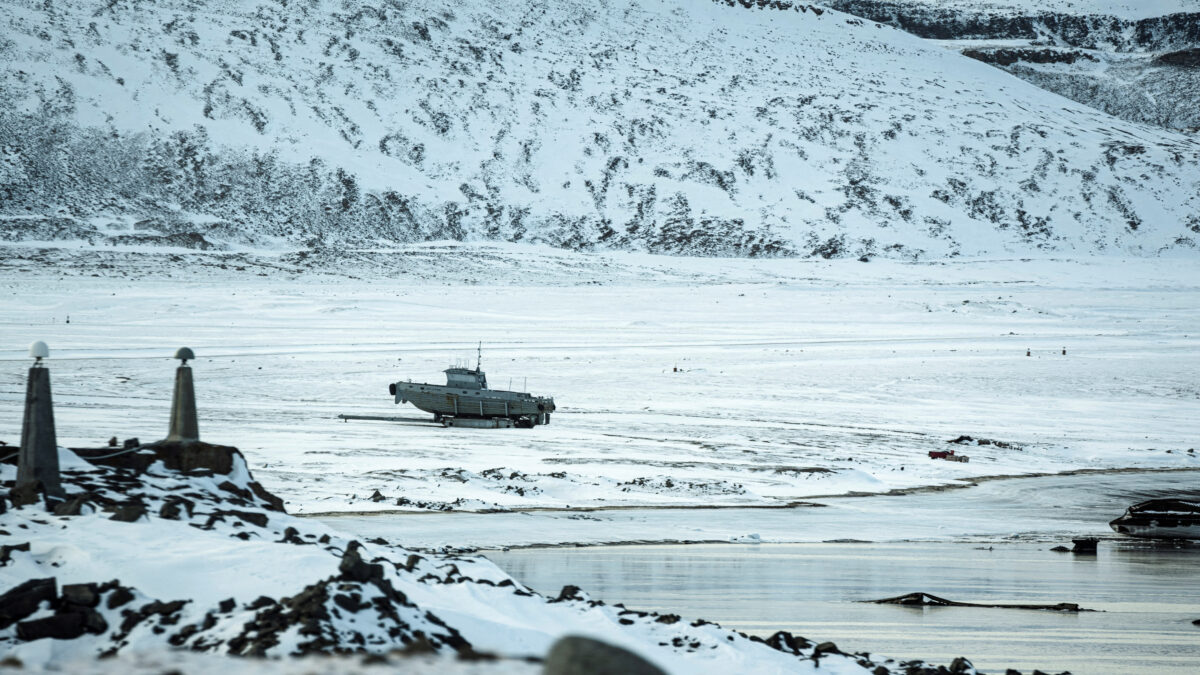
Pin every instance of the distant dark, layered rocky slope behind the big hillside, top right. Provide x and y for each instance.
(1137, 68)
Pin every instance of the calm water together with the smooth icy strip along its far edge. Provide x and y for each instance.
(991, 543)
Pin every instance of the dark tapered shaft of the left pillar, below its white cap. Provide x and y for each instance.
(39, 459)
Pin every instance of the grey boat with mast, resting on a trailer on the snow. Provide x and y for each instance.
(466, 397)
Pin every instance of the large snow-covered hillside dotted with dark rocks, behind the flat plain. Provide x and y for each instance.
(701, 128)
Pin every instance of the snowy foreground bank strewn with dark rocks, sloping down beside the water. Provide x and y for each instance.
(212, 564)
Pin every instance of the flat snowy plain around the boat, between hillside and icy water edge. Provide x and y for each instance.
(680, 381)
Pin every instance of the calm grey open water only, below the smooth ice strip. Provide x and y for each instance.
(1148, 596)
